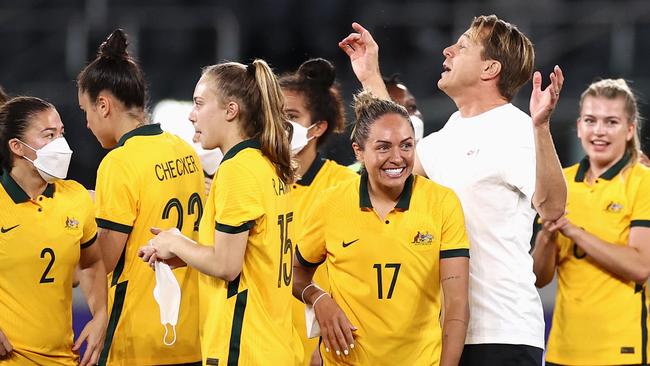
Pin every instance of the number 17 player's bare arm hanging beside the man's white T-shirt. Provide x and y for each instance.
(454, 277)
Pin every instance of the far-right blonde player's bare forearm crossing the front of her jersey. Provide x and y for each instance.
(630, 262)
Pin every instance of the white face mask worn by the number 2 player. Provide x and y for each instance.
(52, 160)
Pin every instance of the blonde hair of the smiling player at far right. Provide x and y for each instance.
(614, 89)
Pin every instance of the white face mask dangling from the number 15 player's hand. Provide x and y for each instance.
(168, 296)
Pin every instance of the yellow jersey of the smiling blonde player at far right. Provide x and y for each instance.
(600, 319)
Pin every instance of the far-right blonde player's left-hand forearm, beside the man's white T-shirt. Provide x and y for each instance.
(545, 254)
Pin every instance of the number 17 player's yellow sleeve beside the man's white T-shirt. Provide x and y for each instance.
(453, 241)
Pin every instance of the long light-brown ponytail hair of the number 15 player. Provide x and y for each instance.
(255, 88)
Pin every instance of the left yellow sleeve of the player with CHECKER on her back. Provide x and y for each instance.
(116, 195)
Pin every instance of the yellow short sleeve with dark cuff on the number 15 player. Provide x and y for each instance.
(238, 198)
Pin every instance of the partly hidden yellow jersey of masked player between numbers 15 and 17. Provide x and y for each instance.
(321, 175)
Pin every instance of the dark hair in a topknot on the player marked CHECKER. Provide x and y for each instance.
(114, 70)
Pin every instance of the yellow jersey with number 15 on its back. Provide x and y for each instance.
(248, 321)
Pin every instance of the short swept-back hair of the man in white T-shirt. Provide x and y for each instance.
(505, 43)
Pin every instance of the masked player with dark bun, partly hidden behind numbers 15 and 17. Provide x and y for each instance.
(313, 102)
